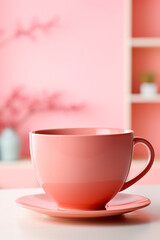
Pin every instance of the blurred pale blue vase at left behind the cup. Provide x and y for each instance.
(10, 145)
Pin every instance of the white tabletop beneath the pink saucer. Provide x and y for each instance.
(19, 223)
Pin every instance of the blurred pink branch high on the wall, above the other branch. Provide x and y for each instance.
(30, 32)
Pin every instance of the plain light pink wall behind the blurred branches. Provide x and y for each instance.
(82, 57)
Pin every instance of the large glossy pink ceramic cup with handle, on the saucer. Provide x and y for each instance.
(84, 168)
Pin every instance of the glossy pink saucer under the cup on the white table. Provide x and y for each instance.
(120, 204)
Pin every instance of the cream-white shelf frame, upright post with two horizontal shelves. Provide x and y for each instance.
(130, 43)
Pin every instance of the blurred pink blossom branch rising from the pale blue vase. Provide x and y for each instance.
(18, 107)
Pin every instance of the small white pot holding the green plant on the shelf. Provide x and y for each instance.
(148, 89)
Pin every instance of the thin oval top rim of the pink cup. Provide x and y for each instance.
(120, 131)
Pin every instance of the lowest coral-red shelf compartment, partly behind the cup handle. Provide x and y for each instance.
(145, 123)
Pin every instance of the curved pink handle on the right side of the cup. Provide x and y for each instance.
(148, 165)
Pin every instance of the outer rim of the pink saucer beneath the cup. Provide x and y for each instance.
(75, 213)
